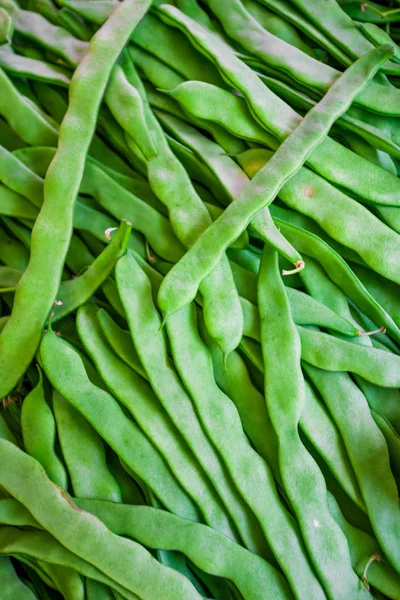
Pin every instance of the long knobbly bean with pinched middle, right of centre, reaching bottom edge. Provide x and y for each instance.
(303, 483)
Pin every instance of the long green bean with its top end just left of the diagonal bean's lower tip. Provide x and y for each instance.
(139, 308)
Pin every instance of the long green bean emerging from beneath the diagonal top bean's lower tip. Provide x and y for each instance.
(223, 426)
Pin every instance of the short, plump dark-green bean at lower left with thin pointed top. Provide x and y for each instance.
(39, 433)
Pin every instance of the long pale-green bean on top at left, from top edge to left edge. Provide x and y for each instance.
(59, 197)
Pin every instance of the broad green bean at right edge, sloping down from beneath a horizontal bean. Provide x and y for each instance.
(365, 446)
